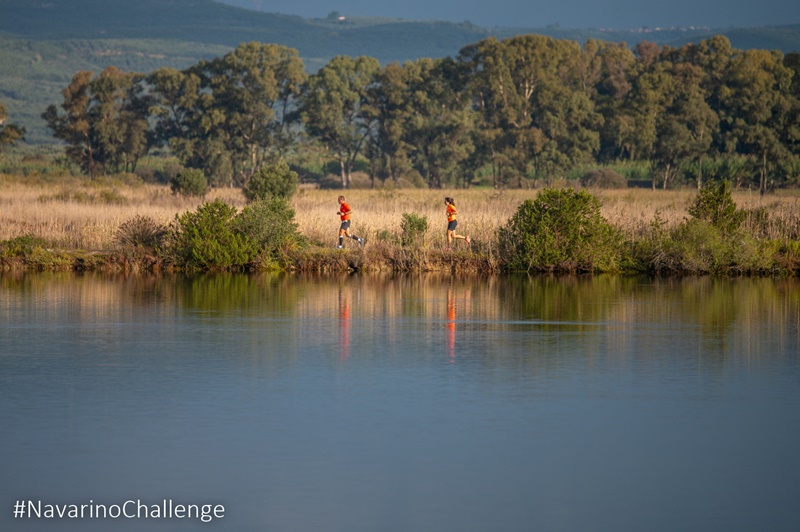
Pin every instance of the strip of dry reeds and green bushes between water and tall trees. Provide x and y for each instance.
(114, 225)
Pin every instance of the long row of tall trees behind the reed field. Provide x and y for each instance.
(524, 108)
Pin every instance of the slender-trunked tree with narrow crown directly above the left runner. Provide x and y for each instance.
(334, 108)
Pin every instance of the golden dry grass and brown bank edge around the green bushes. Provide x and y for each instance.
(73, 223)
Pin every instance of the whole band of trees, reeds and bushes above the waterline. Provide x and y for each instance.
(539, 139)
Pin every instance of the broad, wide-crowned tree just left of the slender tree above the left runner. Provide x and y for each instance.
(230, 114)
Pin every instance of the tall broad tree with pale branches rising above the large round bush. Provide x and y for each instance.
(537, 109)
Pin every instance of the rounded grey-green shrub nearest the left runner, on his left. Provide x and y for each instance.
(269, 223)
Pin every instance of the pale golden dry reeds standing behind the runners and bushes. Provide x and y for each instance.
(80, 214)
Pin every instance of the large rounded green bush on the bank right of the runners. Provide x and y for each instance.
(562, 230)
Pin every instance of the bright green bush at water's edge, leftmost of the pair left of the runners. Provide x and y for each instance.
(207, 239)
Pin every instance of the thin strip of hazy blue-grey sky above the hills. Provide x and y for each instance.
(622, 14)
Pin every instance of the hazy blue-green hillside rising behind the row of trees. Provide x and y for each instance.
(44, 42)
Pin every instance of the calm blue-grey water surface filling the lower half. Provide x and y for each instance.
(404, 403)
